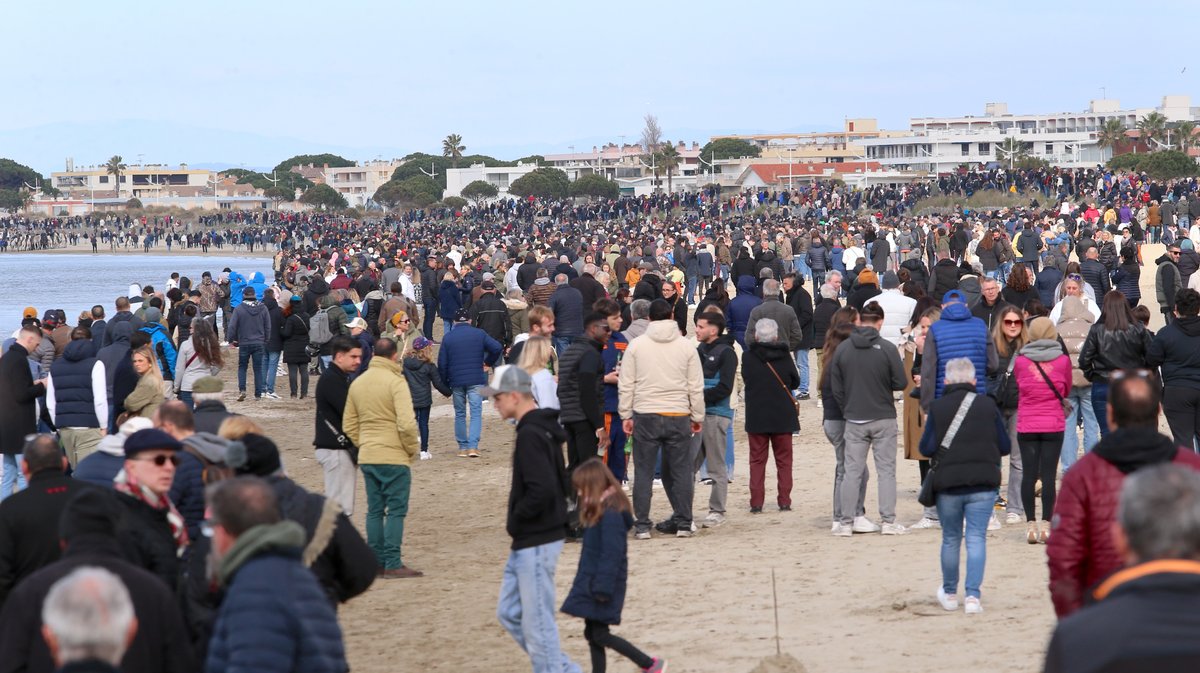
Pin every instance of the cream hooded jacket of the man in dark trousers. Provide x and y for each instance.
(661, 374)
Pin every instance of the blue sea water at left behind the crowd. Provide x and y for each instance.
(77, 283)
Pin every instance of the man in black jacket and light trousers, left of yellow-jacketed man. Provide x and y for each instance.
(335, 453)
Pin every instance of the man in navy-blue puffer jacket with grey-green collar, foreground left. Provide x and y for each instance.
(275, 618)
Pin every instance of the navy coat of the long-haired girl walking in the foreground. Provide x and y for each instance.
(599, 590)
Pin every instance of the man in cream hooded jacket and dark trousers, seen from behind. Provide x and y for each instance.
(662, 405)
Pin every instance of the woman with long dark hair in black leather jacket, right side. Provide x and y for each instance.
(1117, 341)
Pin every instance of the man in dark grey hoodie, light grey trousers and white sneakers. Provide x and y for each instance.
(866, 371)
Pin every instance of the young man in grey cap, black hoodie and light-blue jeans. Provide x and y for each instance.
(537, 520)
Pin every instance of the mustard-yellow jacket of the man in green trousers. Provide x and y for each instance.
(379, 416)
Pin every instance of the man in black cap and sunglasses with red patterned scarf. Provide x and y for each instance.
(157, 533)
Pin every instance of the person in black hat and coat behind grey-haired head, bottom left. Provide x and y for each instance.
(88, 531)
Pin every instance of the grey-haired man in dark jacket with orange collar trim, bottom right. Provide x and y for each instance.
(1142, 620)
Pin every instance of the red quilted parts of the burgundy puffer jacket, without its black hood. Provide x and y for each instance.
(1081, 550)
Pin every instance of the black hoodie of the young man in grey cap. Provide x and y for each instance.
(537, 512)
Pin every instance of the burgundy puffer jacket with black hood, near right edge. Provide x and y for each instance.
(1081, 552)
